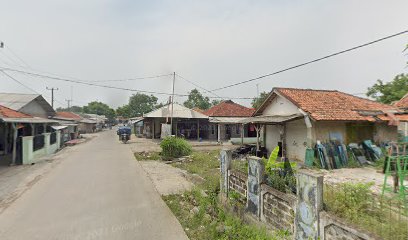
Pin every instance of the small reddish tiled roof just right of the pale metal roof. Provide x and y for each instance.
(229, 109)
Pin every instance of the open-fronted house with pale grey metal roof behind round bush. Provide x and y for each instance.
(186, 122)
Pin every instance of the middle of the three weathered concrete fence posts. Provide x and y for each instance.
(255, 178)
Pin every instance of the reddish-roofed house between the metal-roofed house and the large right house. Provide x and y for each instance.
(224, 121)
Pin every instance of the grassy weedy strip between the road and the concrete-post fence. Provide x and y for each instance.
(199, 210)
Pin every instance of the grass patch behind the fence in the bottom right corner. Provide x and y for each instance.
(355, 203)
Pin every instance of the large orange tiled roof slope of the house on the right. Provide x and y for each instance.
(334, 105)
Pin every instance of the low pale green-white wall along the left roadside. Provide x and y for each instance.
(32, 156)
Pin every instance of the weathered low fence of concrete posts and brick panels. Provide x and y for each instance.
(301, 214)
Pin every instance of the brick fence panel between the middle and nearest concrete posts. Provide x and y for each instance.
(278, 209)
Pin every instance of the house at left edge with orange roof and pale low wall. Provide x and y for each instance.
(25, 138)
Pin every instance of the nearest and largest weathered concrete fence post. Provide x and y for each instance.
(309, 204)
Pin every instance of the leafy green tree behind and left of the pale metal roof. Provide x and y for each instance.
(139, 104)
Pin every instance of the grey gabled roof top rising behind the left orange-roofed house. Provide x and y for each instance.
(32, 104)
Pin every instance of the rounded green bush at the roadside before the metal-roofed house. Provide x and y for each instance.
(173, 147)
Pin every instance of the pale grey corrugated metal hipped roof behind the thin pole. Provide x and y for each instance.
(178, 112)
